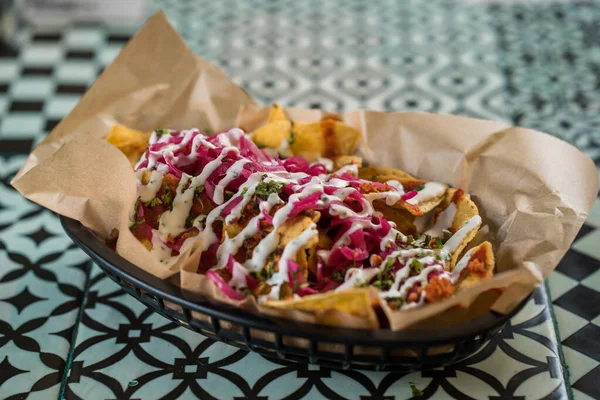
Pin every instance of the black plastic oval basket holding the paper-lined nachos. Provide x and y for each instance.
(335, 348)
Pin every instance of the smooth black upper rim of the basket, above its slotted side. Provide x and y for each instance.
(109, 260)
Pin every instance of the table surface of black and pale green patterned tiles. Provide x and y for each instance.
(67, 331)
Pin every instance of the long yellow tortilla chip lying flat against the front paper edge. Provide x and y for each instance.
(357, 302)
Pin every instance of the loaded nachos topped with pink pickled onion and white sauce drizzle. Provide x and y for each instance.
(287, 214)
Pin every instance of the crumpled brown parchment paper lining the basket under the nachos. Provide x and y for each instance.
(533, 190)
